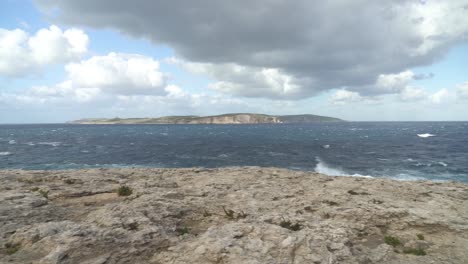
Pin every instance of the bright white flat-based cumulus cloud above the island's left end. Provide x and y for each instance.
(101, 78)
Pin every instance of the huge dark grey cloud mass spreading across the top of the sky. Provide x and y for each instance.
(289, 49)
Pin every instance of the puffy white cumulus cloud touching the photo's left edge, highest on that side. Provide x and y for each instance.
(22, 54)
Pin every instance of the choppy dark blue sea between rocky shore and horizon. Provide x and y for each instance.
(377, 149)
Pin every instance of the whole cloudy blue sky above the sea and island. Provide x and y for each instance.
(365, 60)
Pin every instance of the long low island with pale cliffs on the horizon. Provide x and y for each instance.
(236, 118)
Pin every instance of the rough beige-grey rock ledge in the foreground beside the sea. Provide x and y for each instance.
(231, 215)
